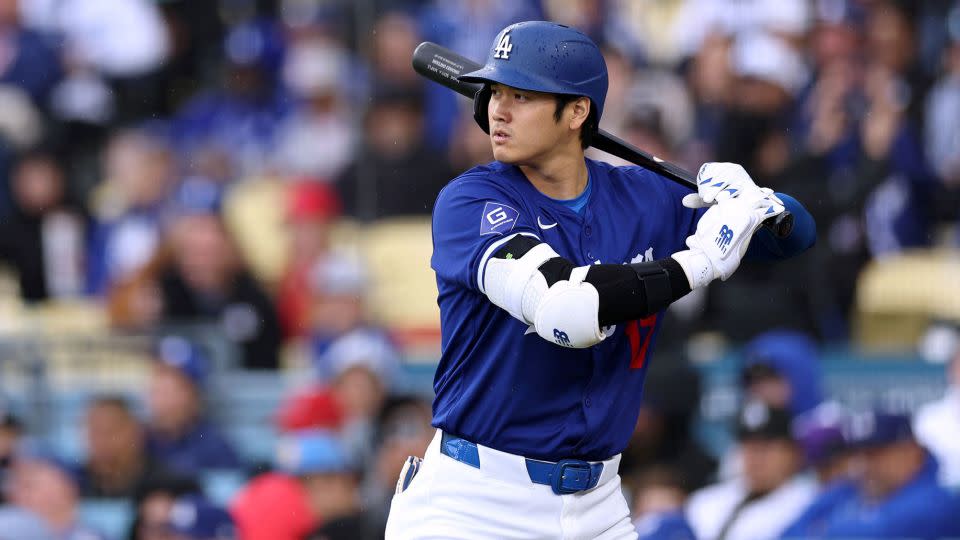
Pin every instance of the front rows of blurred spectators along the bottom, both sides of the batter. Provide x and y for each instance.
(802, 464)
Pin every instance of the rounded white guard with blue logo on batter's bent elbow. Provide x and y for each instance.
(568, 313)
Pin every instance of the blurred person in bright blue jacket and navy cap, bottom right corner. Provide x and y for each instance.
(897, 494)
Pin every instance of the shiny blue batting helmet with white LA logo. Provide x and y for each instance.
(542, 56)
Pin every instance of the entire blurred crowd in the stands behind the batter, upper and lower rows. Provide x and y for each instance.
(132, 131)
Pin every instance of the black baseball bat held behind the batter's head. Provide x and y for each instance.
(443, 66)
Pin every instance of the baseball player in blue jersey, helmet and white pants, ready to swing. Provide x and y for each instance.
(553, 273)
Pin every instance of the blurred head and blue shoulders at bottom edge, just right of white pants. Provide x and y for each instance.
(657, 509)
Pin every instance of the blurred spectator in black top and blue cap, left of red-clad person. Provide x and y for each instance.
(206, 282)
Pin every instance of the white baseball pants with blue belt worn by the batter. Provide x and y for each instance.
(448, 499)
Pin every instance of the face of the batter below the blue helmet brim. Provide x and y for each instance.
(523, 129)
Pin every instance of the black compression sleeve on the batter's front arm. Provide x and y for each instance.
(627, 291)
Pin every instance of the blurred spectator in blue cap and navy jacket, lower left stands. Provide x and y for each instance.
(178, 435)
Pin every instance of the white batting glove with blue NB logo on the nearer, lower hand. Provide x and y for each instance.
(722, 237)
